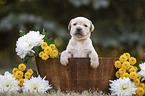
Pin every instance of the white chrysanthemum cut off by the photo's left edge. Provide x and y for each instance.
(8, 84)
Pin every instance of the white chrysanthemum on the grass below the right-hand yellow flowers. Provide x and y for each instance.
(122, 87)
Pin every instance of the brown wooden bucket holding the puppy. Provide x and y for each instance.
(77, 76)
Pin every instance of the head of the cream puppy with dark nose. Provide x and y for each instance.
(80, 28)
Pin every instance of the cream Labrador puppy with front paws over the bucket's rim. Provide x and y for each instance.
(80, 44)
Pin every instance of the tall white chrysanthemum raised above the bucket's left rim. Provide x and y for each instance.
(25, 43)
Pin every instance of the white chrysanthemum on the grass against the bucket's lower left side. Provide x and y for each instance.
(36, 84)
